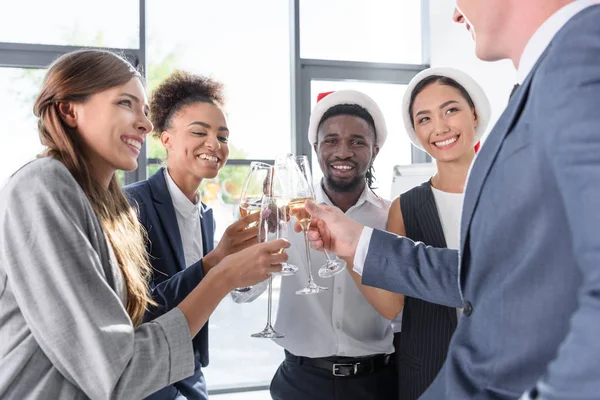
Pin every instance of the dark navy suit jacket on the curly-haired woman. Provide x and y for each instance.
(171, 280)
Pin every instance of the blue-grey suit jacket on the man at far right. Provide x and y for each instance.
(528, 276)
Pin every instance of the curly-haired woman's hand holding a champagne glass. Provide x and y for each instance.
(238, 236)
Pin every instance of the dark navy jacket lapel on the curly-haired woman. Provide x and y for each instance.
(166, 213)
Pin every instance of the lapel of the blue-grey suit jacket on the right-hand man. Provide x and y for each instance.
(485, 159)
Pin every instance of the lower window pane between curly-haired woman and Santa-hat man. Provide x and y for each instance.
(236, 359)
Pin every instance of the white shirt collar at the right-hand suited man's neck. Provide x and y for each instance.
(540, 40)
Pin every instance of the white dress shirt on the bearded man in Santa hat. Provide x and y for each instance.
(339, 321)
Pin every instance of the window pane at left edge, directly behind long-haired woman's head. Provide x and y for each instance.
(22, 143)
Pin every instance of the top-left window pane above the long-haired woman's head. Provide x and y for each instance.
(108, 23)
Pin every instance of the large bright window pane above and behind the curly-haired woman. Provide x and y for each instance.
(248, 50)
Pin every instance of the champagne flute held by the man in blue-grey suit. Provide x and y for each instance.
(297, 184)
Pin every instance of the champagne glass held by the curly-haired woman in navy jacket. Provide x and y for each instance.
(259, 175)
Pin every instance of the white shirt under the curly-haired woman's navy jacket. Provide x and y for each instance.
(188, 220)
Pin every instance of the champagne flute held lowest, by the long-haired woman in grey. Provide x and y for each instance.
(273, 225)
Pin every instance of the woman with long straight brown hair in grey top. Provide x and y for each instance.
(73, 267)
